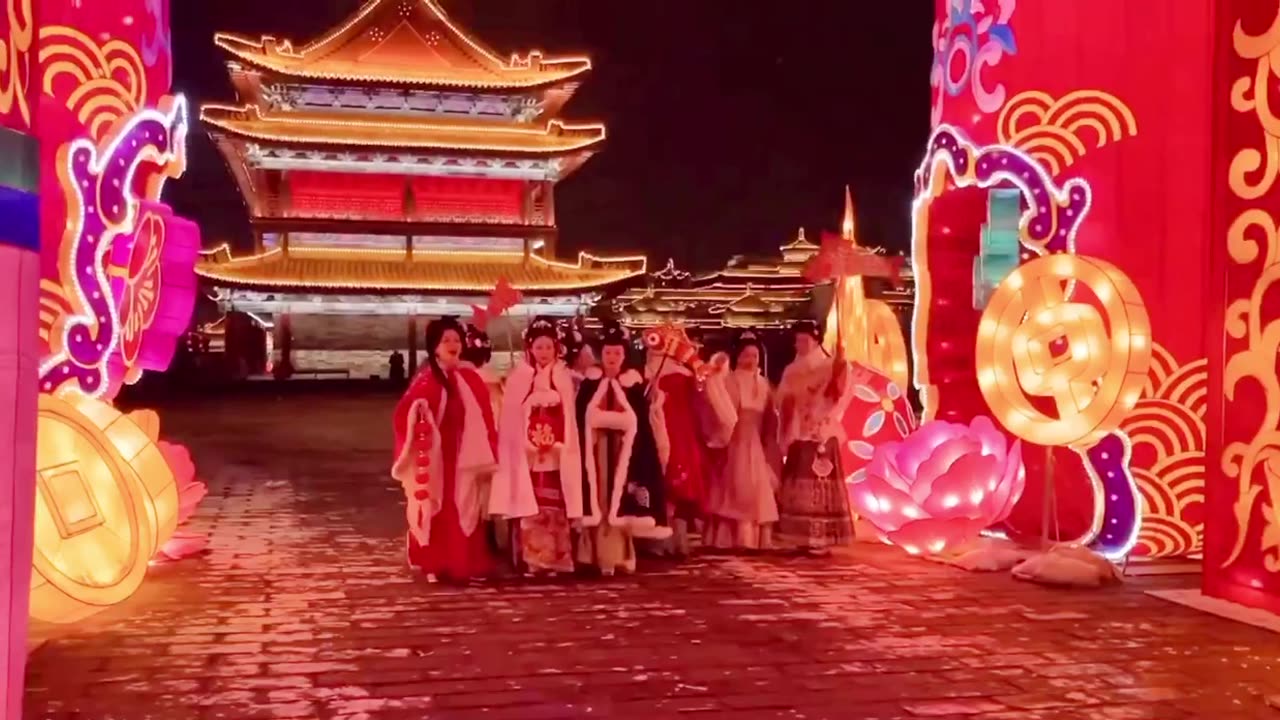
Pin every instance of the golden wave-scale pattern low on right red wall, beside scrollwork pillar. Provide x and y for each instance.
(1167, 432)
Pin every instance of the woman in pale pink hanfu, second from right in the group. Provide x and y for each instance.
(742, 507)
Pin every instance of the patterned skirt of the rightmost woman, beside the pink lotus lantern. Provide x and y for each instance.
(813, 504)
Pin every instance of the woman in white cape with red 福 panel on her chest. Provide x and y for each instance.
(540, 477)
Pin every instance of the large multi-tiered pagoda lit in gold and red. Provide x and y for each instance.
(397, 167)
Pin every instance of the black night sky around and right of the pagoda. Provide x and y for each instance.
(732, 122)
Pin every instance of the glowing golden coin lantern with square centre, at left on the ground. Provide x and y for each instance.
(107, 500)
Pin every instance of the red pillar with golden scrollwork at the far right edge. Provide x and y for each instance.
(1242, 548)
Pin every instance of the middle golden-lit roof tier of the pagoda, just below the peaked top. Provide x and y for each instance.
(446, 134)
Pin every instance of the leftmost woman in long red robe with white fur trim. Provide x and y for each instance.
(446, 449)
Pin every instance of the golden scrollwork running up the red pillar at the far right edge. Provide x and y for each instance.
(1254, 241)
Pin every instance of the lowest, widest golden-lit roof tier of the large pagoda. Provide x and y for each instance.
(381, 271)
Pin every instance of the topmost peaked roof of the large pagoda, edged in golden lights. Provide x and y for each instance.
(403, 43)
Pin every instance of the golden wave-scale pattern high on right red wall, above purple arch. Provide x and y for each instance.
(1058, 133)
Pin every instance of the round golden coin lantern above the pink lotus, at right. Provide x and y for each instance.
(1041, 338)
